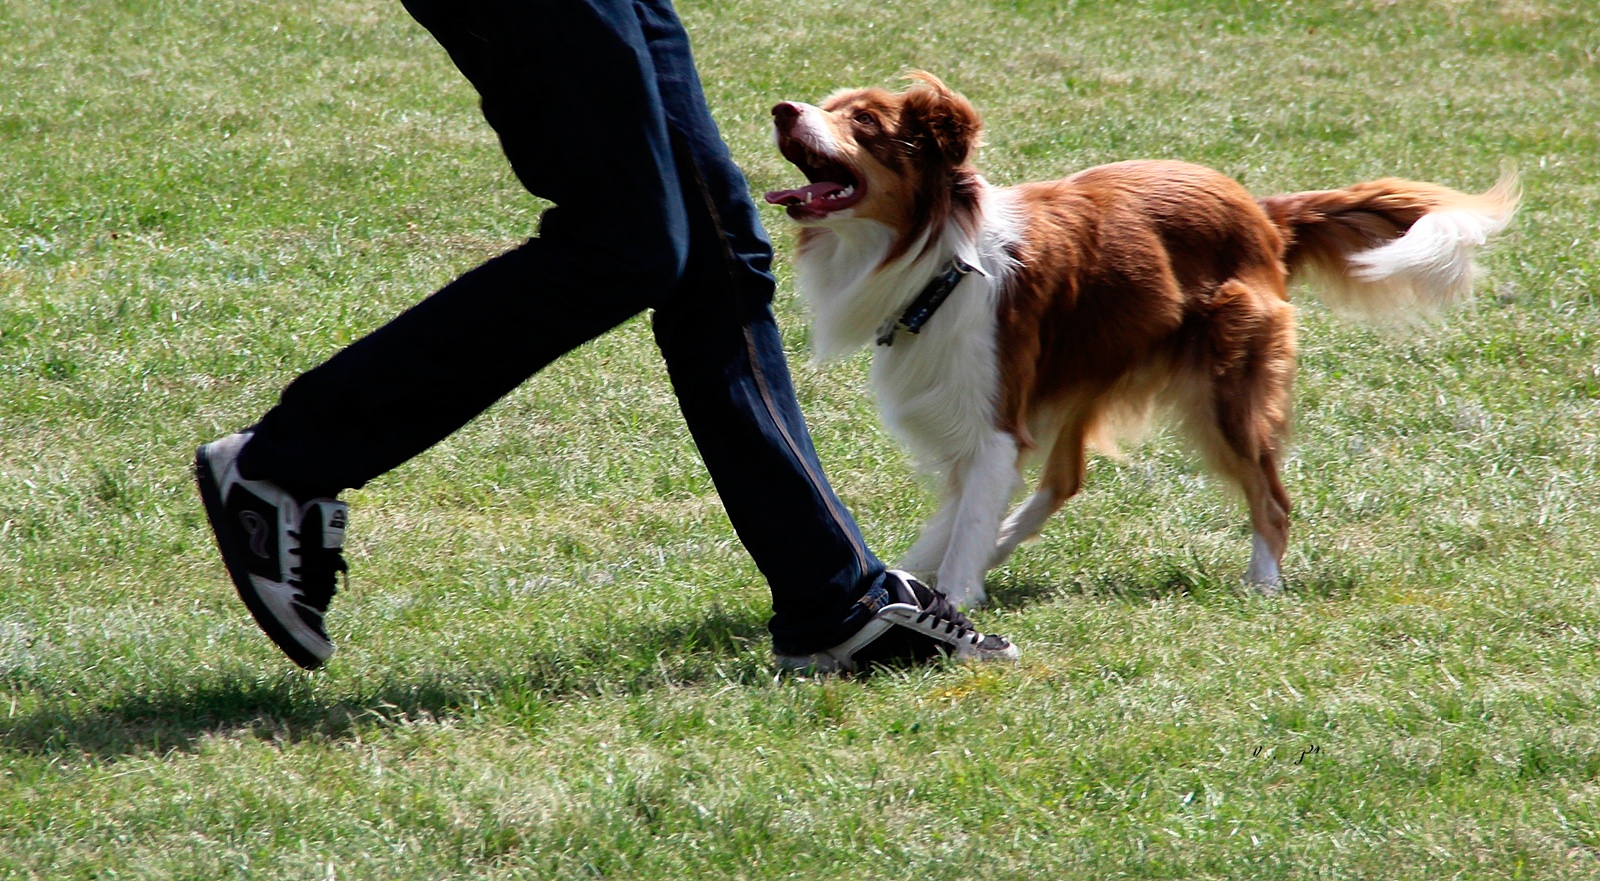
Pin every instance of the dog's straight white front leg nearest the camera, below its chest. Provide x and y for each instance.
(985, 485)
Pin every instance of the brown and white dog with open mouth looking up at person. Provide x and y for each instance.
(1066, 311)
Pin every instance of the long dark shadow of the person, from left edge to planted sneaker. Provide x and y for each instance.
(292, 708)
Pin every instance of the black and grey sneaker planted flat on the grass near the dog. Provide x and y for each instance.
(911, 624)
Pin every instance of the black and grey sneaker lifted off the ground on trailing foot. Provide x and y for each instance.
(282, 552)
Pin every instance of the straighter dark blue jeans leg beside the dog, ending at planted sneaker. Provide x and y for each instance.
(729, 370)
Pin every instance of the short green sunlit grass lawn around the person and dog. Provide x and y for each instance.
(553, 650)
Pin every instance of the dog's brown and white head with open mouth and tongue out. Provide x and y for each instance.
(902, 159)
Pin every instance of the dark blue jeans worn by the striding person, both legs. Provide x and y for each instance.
(599, 110)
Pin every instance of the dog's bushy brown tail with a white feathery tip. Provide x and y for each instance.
(1391, 249)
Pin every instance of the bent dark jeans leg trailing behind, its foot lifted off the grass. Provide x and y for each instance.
(570, 90)
